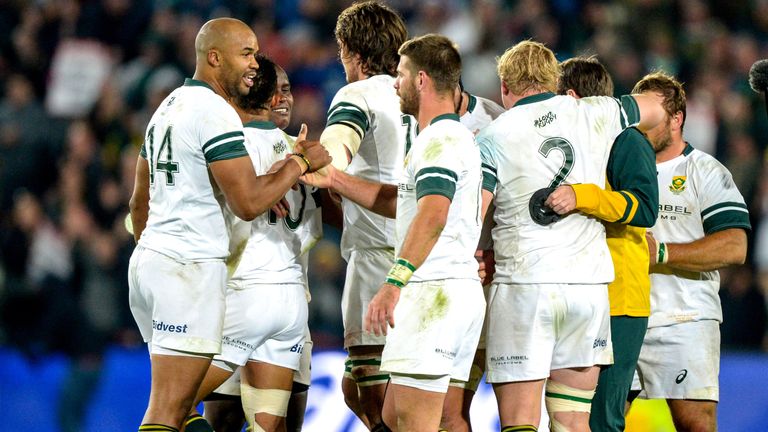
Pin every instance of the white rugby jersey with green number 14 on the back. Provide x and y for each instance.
(192, 127)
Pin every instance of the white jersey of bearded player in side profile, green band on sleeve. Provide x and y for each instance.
(444, 160)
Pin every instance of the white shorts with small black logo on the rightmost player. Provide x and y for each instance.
(681, 361)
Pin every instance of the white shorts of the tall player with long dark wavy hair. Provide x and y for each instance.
(366, 270)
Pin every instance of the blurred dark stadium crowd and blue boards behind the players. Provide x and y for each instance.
(79, 80)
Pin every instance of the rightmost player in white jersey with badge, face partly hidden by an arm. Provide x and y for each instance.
(701, 228)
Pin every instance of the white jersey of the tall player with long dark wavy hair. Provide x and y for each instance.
(372, 108)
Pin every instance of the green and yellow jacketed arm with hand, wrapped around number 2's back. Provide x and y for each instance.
(631, 172)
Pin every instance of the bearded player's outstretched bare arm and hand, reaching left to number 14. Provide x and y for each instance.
(377, 197)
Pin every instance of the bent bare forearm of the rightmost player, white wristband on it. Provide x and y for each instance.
(712, 252)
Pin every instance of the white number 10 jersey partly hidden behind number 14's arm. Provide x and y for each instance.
(270, 249)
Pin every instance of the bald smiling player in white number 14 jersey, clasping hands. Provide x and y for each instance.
(177, 273)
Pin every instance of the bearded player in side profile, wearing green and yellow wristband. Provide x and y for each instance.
(431, 298)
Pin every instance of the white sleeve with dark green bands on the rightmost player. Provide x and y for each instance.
(721, 203)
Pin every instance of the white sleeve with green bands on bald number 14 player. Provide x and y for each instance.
(222, 134)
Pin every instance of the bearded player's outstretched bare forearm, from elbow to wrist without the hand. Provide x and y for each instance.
(377, 197)
